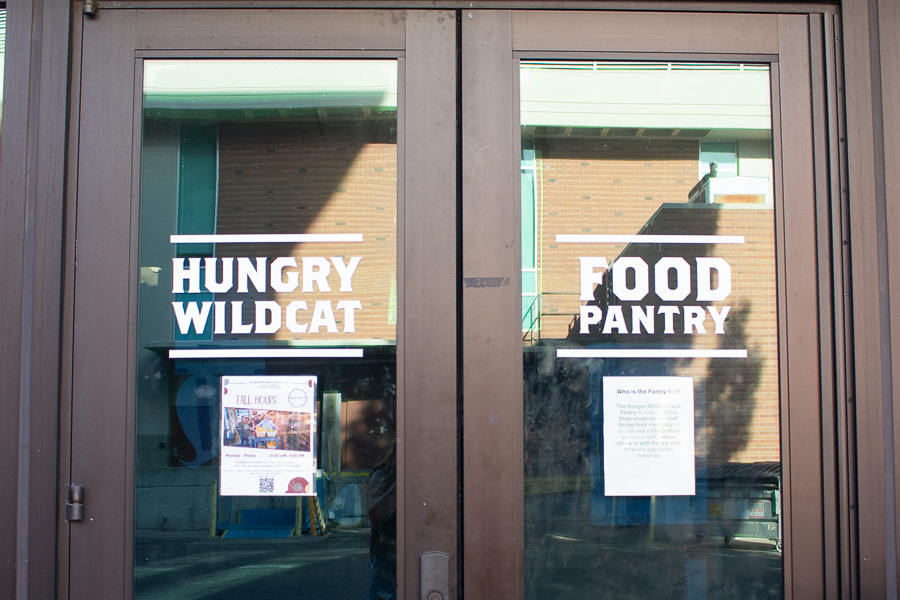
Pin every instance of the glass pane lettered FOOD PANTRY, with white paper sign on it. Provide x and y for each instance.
(652, 461)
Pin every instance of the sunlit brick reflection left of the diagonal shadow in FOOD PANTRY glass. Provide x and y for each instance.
(592, 186)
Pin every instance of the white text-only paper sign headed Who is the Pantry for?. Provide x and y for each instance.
(648, 436)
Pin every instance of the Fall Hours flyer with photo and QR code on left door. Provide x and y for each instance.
(268, 431)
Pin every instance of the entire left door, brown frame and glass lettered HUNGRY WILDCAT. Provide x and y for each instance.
(265, 233)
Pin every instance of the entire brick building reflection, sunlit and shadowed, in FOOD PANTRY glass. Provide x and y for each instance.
(628, 187)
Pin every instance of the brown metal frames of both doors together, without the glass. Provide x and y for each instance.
(492, 471)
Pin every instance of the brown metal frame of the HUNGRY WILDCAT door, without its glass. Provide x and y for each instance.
(98, 374)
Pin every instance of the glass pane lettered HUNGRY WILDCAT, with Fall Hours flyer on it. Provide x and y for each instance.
(267, 329)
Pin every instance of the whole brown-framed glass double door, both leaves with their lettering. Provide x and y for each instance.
(415, 302)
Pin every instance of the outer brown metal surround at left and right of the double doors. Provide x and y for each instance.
(34, 168)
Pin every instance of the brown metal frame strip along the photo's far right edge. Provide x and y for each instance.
(871, 144)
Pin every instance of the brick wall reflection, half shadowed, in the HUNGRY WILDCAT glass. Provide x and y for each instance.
(296, 178)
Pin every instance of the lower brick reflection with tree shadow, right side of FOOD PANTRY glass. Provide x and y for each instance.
(739, 417)
